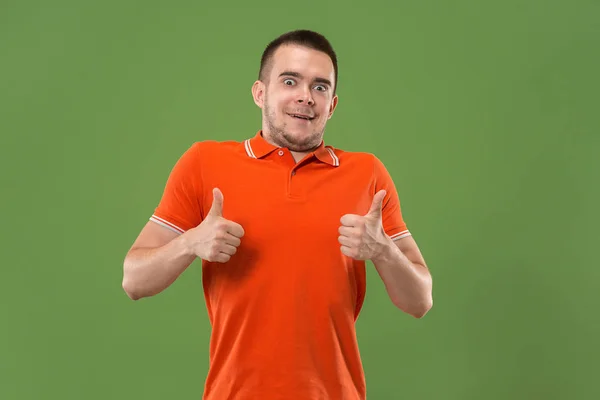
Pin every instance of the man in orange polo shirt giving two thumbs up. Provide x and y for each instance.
(283, 225)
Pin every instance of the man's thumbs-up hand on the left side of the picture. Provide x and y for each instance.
(216, 239)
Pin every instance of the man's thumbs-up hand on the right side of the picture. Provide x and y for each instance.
(362, 236)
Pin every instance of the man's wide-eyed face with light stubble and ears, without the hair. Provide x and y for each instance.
(297, 99)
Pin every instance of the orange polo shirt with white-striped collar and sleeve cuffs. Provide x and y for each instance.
(283, 309)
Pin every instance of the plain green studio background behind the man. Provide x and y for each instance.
(485, 113)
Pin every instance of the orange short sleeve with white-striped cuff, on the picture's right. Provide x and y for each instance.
(393, 222)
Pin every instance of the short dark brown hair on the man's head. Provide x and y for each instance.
(301, 37)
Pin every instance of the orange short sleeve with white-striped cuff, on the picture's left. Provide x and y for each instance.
(179, 208)
